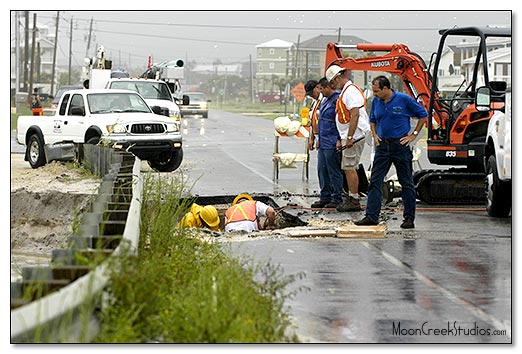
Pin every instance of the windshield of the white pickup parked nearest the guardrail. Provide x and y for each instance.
(102, 103)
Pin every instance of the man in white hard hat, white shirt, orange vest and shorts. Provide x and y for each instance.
(353, 125)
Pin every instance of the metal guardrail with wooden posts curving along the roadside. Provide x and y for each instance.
(62, 301)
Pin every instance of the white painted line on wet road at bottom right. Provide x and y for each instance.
(475, 310)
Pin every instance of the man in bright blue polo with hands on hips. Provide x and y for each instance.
(390, 123)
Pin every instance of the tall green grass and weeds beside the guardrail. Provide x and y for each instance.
(183, 288)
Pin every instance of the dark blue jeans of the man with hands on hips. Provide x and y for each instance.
(401, 157)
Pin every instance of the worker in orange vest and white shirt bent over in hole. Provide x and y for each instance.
(245, 214)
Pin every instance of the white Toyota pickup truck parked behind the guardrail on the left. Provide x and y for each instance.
(117, 118)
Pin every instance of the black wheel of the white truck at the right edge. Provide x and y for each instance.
(498, 193)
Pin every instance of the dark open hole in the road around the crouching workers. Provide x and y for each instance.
(222, 203)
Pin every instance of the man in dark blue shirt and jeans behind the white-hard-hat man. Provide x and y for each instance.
(328, 160)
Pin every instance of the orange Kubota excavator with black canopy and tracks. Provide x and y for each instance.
(456, 128)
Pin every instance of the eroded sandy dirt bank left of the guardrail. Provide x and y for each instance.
(45, 203)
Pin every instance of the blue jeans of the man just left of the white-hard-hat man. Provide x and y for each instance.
(330, 175)
